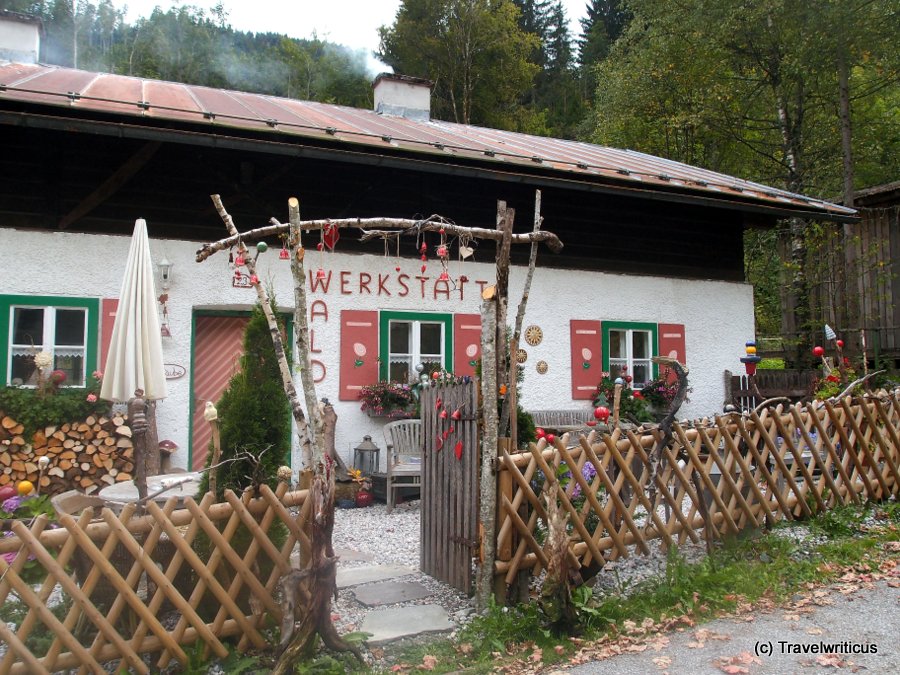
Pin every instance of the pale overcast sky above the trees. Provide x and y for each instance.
(353, 23)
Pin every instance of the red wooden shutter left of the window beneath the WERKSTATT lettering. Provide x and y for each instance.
(359, 352)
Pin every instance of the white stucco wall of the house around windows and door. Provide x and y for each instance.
(718, 316)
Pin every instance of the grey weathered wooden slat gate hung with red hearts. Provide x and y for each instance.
(450, 466)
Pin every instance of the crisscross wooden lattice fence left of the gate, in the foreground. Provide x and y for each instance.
(153, 584)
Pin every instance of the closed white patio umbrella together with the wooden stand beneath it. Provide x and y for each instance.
(135, 359)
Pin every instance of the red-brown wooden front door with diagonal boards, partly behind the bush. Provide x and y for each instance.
(218, 345)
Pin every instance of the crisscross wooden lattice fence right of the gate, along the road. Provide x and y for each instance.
(742, 471)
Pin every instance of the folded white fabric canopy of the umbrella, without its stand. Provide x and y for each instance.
(135, 351)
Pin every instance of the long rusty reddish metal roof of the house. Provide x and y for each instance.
(219, 111)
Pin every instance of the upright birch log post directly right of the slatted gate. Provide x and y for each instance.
(489, 445)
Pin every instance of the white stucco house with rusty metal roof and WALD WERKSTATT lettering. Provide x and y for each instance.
(652, 263)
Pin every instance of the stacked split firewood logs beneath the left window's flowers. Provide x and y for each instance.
(84, 456)
